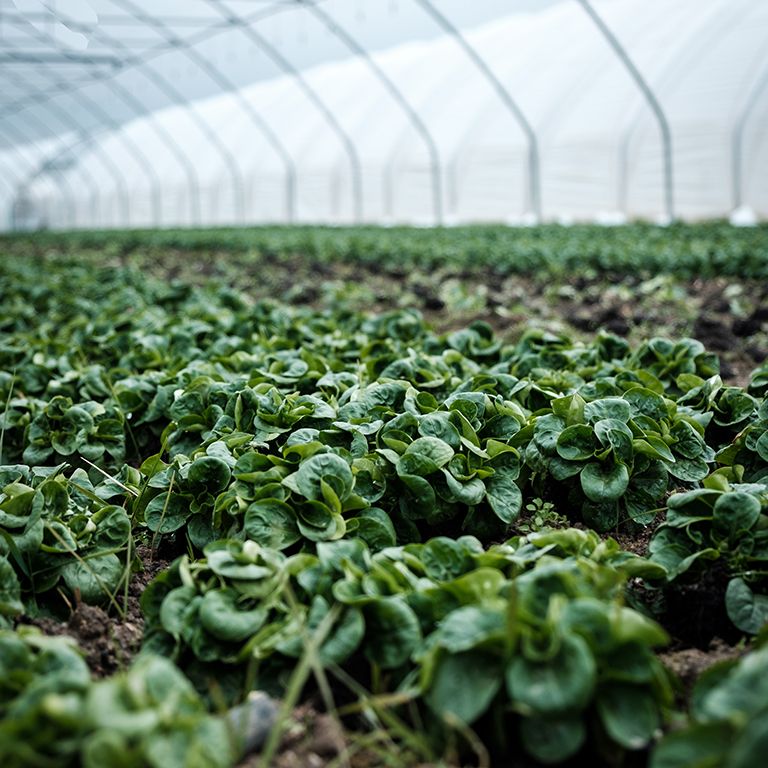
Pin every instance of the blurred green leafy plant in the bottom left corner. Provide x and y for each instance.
(51, 713)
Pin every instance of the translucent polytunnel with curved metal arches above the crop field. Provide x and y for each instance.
(130, 113)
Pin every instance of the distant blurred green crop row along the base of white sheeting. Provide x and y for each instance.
(688, 250)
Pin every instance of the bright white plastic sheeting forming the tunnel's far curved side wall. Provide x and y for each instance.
(599, 144)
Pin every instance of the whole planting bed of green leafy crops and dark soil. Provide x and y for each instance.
(518, 515)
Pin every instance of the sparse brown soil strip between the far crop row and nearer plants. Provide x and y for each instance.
(730, 318)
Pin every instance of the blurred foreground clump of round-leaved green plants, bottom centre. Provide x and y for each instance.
(537, 629)
